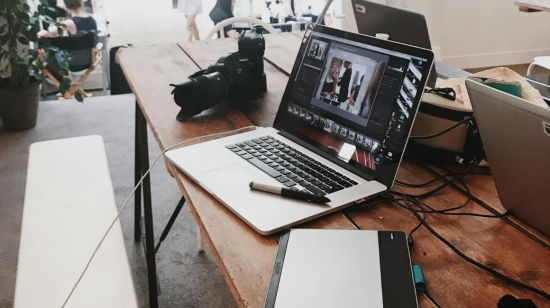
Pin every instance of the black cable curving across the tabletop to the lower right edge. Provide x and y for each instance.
(470, 260)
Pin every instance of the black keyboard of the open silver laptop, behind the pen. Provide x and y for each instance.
(292, 168)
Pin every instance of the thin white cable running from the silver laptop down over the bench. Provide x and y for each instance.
(130, 196)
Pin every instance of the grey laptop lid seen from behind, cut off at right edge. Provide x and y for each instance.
(516, 139)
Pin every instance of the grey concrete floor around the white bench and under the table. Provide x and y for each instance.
(187, 278)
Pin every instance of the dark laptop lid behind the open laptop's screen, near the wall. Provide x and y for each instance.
(401, 25)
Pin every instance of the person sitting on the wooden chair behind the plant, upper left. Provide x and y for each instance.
(80, 21)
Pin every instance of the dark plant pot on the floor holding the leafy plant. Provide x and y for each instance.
(19, 106)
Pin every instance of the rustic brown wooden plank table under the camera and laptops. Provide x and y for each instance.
(246, 258)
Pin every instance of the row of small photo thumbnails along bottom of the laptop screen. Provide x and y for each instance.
(330, 126)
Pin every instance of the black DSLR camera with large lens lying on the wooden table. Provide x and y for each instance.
(235, 78)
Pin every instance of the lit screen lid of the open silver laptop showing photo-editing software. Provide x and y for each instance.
(352, 99)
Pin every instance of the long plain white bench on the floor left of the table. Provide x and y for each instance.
(69, 204)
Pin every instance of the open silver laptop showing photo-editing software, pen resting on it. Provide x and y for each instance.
(346, 144)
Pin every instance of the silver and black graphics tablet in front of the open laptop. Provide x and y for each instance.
(342, 268)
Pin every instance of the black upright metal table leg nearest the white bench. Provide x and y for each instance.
(147, 210)
